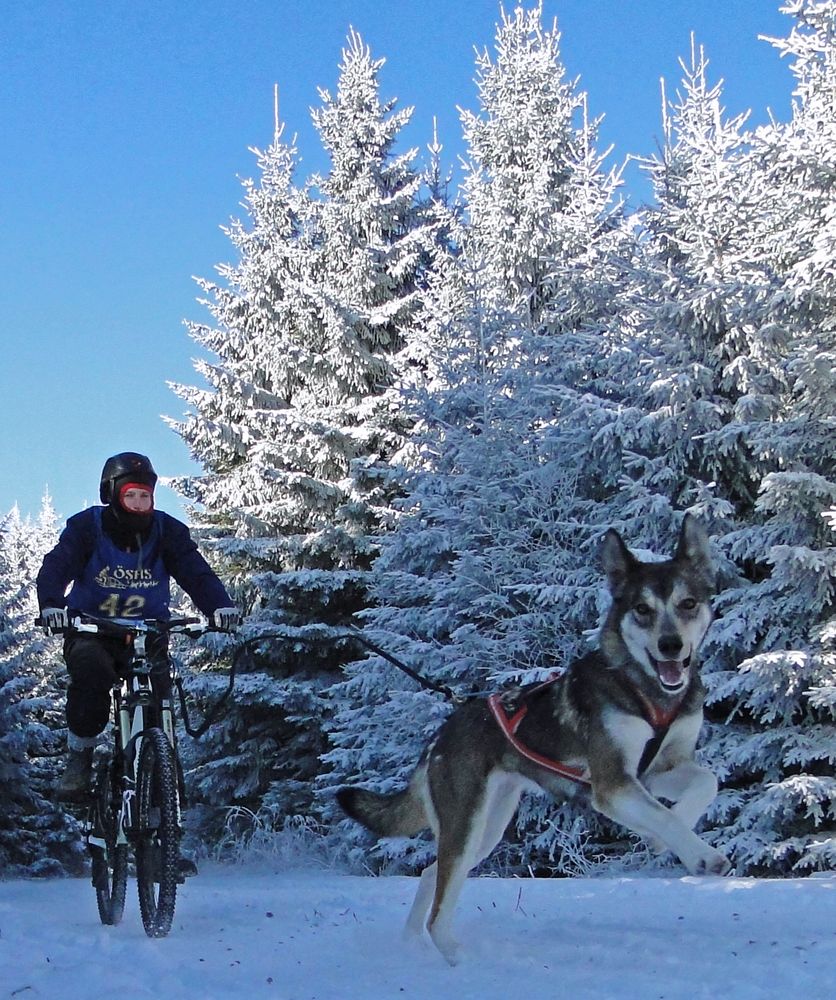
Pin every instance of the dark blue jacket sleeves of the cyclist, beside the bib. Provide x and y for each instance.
(180, 558)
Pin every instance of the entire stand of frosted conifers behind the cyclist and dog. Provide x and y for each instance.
(418, 407)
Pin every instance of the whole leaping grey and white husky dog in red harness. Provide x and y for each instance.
(621, 723)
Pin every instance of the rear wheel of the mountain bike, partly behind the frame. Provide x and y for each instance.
(109, 858)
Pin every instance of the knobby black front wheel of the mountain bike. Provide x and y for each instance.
(158, 833)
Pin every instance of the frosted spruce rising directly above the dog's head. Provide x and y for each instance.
(698, 378)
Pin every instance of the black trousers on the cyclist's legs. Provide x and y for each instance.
(95, 663)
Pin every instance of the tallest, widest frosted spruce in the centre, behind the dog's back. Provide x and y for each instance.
(490, 576)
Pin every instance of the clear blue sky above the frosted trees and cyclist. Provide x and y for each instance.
(125, 128)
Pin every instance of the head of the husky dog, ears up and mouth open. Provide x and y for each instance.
(661, 611)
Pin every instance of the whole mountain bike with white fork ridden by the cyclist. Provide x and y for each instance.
(138, 788)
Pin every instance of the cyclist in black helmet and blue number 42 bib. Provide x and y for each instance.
(120, 559)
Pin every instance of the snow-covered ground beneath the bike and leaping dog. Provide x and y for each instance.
(300, 935)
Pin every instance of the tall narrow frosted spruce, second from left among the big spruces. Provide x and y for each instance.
(376, 242)
